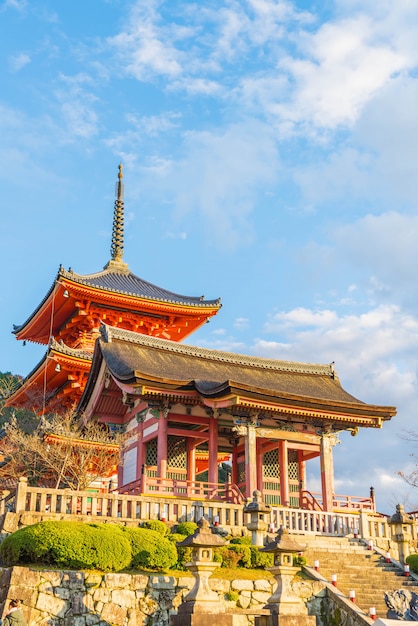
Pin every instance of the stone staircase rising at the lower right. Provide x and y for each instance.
(360, 570)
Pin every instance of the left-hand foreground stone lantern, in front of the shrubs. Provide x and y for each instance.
(201, 602)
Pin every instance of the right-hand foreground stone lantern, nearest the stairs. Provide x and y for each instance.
(284, 604)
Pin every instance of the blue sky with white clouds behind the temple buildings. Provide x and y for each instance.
(270, 153)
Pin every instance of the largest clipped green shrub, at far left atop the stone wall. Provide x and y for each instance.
(69, 545)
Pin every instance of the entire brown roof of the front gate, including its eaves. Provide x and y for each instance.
(141, 361)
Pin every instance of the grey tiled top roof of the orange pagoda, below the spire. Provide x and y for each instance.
(129, 284)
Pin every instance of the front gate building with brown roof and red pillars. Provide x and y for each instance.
(176, 401)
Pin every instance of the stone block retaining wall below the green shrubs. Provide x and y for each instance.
(69, 598)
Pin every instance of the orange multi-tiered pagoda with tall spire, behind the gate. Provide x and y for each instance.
(68, 318)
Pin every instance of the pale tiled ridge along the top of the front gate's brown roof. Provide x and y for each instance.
(110, 333)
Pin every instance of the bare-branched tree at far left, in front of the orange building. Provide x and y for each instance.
(60, 452)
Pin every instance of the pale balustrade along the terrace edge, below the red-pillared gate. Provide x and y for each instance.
(45, 503)
